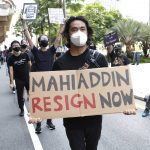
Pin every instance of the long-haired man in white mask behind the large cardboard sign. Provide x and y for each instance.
(83, 132)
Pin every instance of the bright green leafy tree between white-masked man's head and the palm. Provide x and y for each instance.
(100, 19)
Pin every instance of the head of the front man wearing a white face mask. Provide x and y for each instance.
(77, 31)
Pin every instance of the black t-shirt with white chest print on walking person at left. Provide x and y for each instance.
(20, 66)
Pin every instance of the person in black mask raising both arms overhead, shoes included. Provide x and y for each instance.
(44, 58)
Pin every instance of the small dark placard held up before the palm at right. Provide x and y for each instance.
(111, 39)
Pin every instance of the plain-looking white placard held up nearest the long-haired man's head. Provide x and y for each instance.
(56, 15)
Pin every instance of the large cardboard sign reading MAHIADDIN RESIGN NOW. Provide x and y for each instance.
(62, 94)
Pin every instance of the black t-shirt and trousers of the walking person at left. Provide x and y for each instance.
(21, 75)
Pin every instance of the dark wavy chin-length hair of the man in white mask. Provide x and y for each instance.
(65, 33)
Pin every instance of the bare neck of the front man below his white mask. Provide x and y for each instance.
(76, 51)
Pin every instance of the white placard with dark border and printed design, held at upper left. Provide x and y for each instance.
(30, 11)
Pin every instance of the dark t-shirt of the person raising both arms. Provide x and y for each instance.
(44, 60)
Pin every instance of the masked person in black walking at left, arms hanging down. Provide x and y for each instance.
(19, 64)
